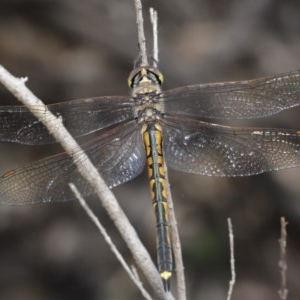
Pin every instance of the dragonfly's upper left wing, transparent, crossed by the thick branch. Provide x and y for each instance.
(81, 117)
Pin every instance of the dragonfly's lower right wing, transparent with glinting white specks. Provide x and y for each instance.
(209, 149)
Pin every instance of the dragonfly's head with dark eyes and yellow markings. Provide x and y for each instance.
(145, 79)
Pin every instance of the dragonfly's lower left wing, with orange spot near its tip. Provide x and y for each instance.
(118, 153)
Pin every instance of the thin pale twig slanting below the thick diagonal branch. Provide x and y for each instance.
(113, 248)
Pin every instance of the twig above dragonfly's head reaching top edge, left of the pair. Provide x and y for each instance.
(141, 32)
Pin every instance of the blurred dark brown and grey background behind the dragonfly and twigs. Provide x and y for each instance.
(78, 49)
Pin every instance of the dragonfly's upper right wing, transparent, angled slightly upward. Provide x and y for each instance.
(235, 100)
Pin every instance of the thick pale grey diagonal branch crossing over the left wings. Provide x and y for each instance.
(90, 173)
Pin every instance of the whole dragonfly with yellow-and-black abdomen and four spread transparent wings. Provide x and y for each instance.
(153, 128)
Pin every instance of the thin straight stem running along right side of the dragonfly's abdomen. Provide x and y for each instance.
(176, 245)
